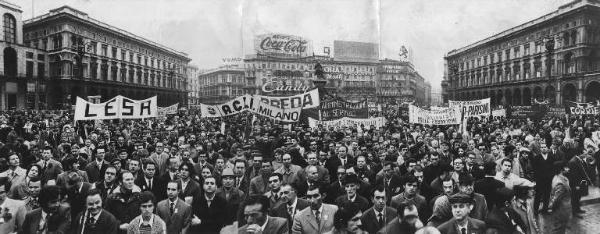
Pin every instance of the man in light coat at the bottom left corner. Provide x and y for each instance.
(15, 209)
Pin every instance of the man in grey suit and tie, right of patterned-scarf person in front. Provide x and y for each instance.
(175, 212)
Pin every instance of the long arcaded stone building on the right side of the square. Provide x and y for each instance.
(555, 57)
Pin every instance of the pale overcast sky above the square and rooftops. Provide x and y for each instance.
(210, 30)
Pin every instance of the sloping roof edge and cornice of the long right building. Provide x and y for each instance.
(576, 4)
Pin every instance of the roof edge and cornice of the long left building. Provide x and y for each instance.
(84, 16)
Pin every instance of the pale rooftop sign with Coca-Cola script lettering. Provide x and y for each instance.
(280, 45)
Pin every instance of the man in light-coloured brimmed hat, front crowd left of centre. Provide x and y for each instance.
(230, 193)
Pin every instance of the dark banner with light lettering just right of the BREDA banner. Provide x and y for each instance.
(338, 108)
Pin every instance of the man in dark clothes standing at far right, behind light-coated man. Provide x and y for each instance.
(577, 176)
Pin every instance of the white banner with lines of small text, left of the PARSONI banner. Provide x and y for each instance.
(446, 116)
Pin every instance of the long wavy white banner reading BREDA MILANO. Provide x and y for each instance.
(286, 109)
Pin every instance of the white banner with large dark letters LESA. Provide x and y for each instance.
(118, 107)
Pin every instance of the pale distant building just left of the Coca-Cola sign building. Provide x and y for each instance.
(221, 85)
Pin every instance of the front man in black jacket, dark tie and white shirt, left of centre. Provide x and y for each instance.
(208, 213)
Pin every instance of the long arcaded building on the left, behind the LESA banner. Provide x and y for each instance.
(87, 57)
